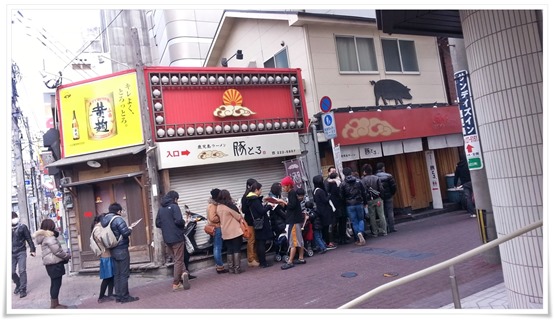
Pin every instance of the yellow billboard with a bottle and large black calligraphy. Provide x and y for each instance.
(100, 115)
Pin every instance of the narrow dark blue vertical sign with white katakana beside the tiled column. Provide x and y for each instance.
(470, 130)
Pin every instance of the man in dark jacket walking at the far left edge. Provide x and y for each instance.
(20, 235)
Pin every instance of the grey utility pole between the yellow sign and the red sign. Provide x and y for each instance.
(159, 257)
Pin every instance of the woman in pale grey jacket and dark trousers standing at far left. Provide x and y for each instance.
(53, 257)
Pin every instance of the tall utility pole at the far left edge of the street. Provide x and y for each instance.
(17, 158)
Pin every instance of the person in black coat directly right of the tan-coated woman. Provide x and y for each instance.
(261, 222)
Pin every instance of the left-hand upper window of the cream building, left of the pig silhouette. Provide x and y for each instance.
(356, 54)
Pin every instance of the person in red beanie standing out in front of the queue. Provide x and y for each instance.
(294, 219)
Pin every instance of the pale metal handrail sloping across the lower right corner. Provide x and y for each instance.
(440, 266)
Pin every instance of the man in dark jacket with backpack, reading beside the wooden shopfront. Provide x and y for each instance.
(120, 253)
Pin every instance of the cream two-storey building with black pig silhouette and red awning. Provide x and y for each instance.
(386, 81)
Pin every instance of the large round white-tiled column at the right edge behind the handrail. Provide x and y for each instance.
(505, 59)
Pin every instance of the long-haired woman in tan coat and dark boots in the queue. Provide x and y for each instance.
(232, 233)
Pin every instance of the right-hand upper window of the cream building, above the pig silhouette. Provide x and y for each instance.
(399, 55)
